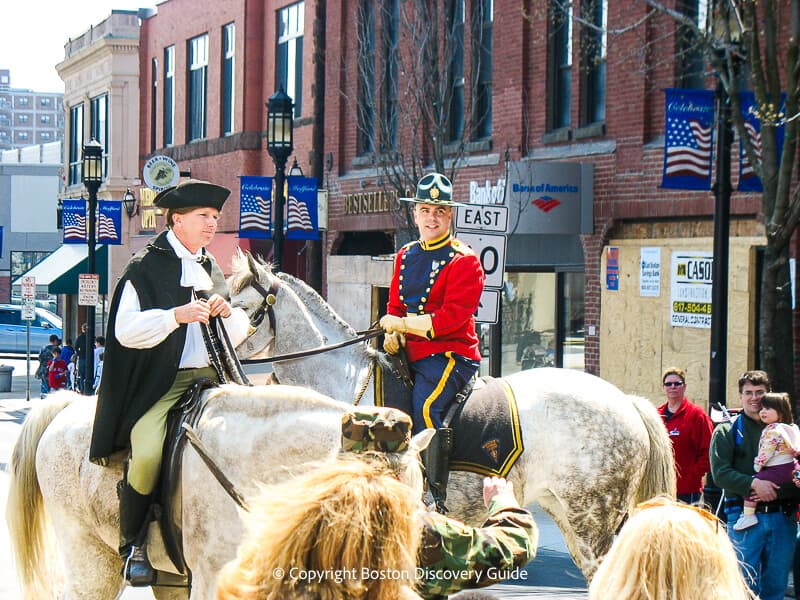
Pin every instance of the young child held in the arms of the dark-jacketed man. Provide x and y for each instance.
(777, 448)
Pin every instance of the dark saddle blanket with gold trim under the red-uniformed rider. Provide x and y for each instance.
(487, 435)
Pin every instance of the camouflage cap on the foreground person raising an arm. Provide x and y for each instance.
(375, 428)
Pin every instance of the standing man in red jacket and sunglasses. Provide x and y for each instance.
(690, 429)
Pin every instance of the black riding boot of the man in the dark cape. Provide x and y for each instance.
(134, 518)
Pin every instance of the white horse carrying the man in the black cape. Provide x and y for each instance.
(255, 434)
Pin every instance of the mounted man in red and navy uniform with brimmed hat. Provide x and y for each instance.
(433, 296)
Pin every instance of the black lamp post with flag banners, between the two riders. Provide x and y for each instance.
(280, 130)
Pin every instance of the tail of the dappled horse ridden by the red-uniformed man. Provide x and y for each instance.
(659, 474)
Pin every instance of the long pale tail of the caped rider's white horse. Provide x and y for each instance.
(28, 526)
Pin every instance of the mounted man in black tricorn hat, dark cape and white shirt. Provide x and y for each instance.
(155, 349)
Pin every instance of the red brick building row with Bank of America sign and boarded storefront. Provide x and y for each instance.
(526, 91)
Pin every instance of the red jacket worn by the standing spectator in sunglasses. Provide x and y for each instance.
(690, 430)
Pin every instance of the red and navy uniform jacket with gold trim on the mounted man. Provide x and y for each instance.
(444, 279)
